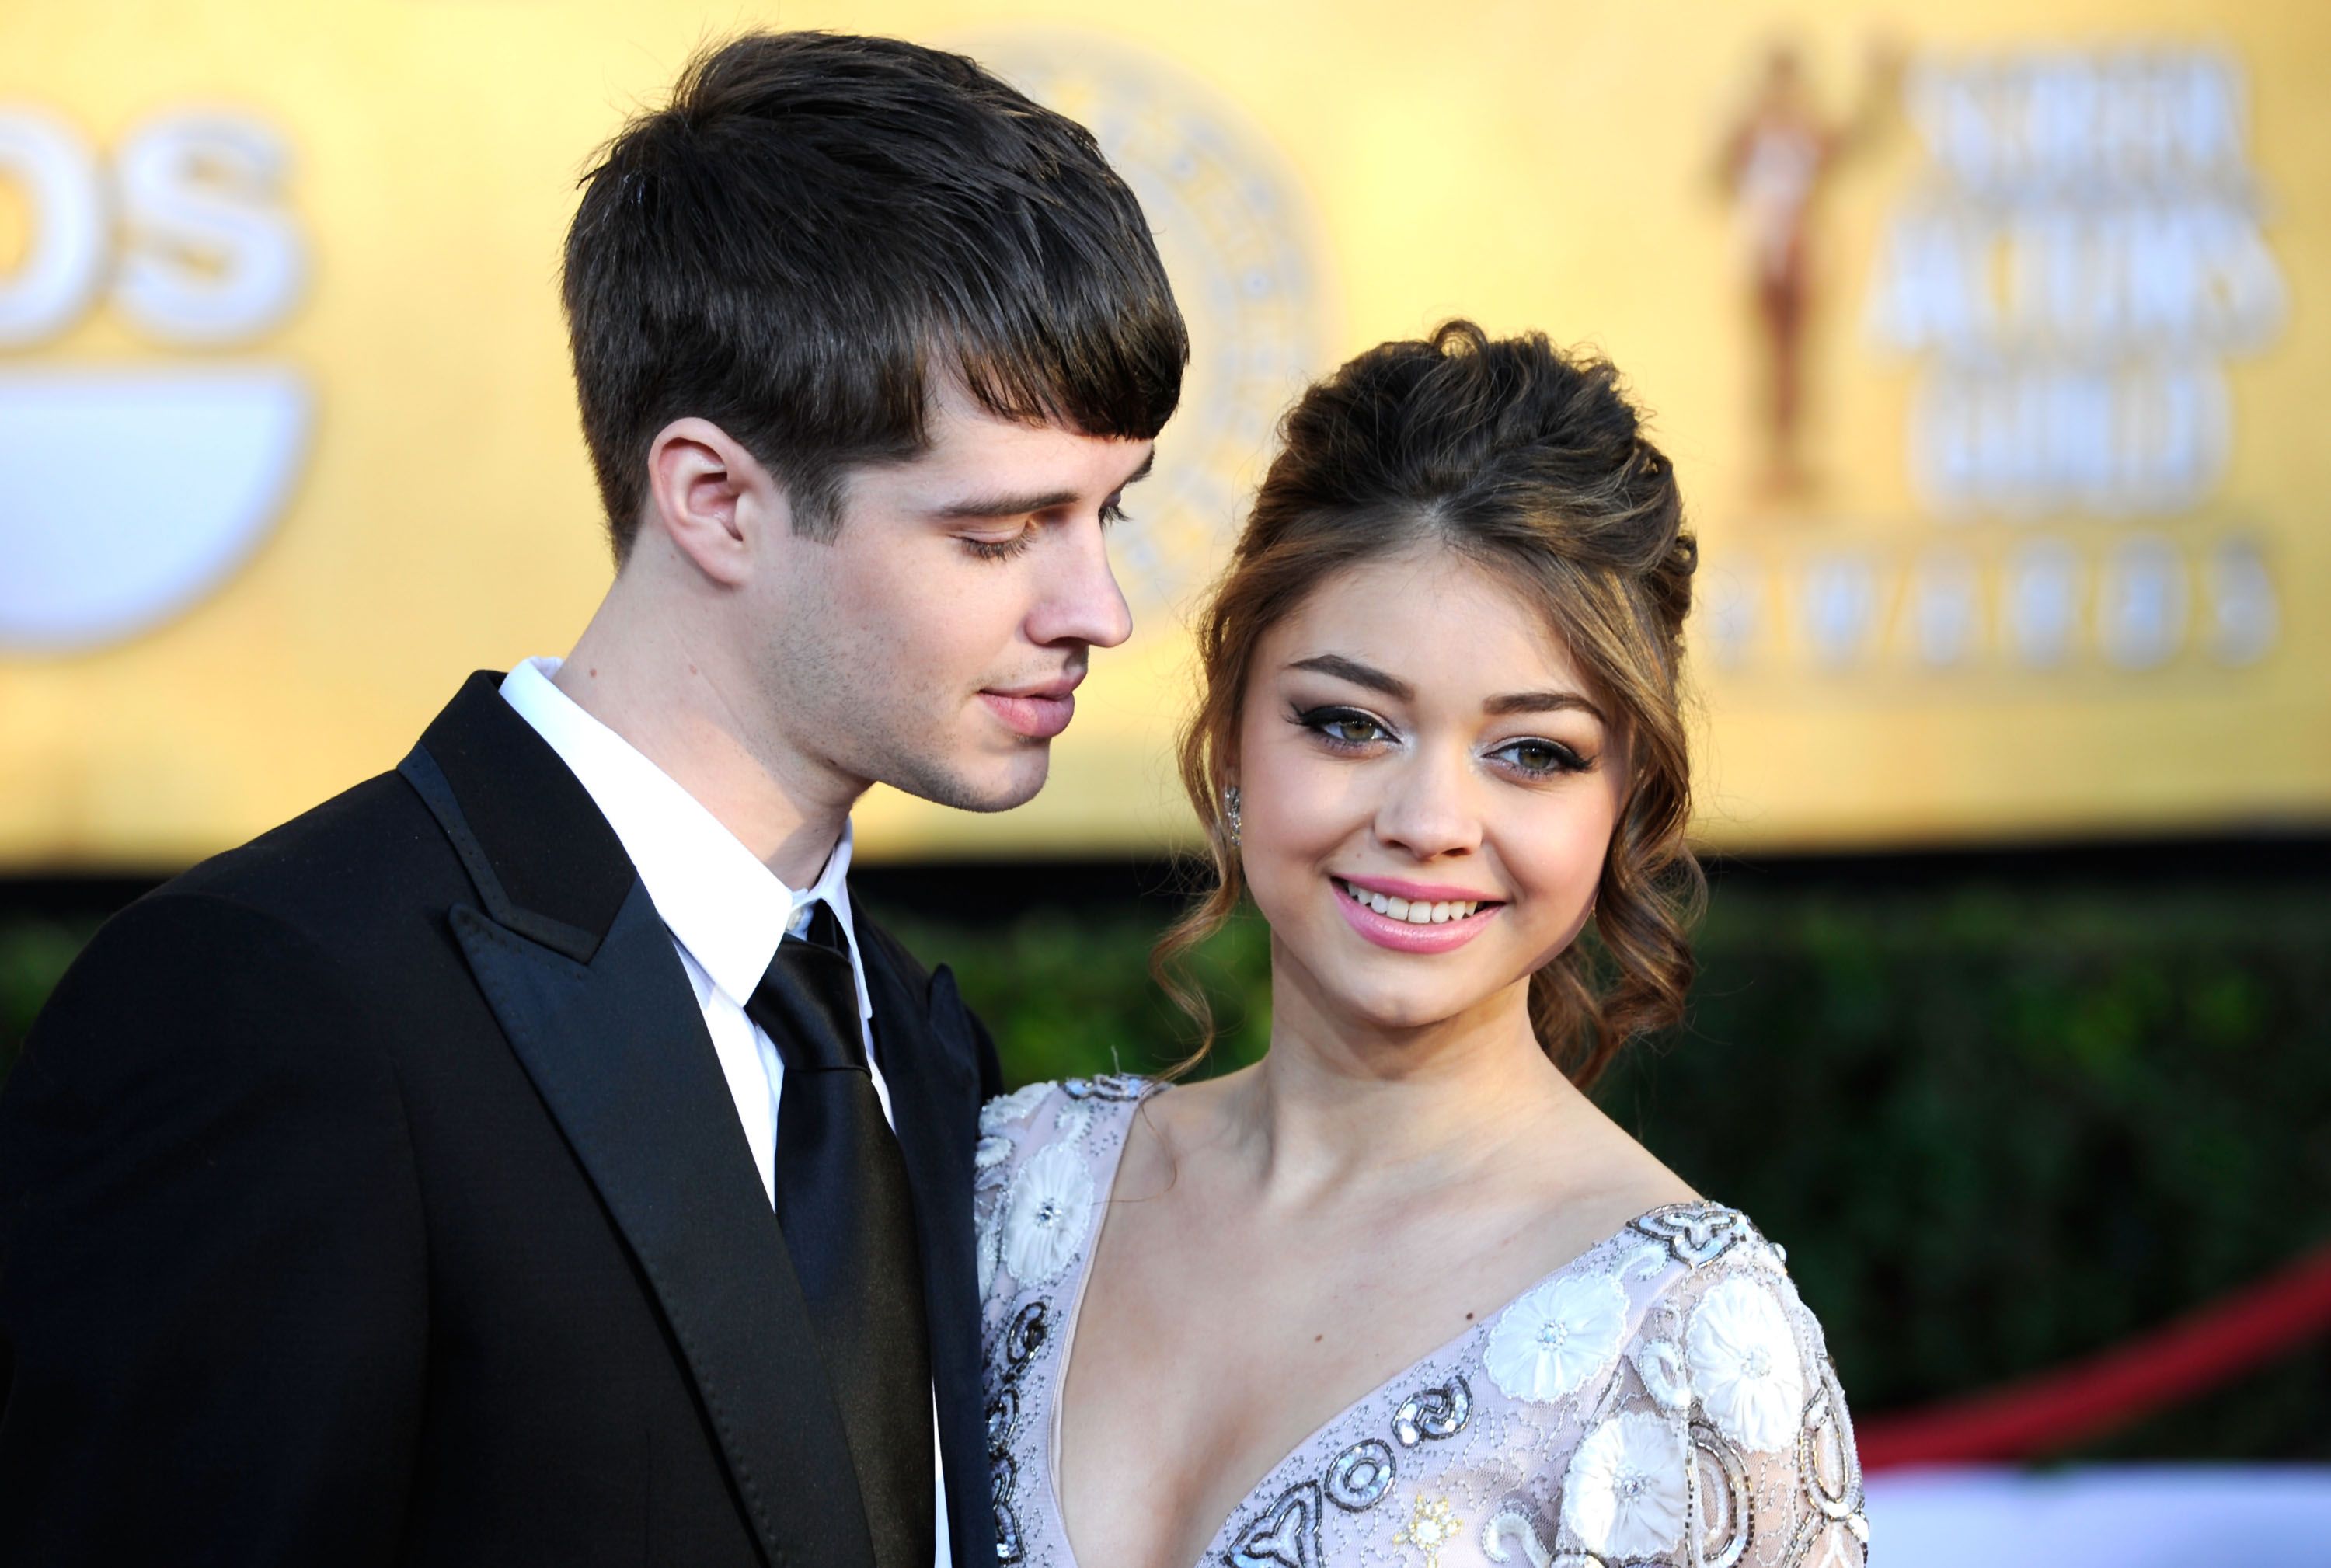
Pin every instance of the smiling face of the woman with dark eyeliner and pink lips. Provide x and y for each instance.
(1449, 814)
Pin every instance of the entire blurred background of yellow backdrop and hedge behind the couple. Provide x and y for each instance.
(1987, 341)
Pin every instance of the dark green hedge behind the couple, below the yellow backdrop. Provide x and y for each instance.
(1997, 1126)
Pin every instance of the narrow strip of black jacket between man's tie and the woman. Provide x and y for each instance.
(931, 1071)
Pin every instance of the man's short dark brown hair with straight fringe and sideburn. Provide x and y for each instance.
(824, 227)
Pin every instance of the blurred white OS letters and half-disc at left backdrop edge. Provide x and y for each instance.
(127, 493)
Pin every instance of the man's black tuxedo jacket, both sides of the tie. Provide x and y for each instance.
(372, 1194)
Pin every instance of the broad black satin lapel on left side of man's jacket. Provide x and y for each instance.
(619, 1054)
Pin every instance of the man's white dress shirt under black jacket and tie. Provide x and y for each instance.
(724, 907)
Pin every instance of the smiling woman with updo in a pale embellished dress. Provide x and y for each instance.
(1400, 1292)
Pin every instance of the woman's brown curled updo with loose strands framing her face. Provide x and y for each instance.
(1535, 467)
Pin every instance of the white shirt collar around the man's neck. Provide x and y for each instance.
(717, 898)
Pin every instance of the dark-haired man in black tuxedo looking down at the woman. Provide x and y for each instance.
(533, 1157)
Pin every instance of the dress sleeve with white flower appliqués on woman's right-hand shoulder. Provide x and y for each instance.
(1724, 1439)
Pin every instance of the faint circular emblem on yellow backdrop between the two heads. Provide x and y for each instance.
(1246, 264)
